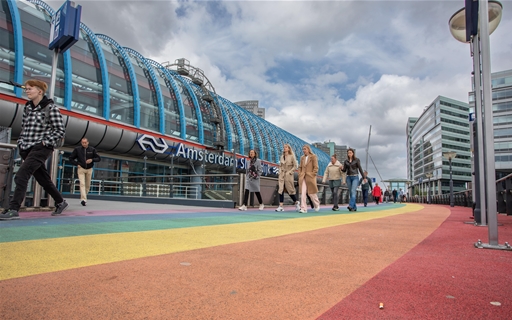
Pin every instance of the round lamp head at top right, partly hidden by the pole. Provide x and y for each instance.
(457, 22)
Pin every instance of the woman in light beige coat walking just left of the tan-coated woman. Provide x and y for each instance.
(287, 166)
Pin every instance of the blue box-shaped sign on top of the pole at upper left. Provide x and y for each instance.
(65, 27)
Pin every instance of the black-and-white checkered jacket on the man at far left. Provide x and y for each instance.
(36, 129)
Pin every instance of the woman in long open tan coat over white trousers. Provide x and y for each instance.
(308, 169)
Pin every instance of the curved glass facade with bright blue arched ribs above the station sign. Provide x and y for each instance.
(100, 78)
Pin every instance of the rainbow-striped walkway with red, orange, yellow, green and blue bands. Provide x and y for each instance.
(114, 260)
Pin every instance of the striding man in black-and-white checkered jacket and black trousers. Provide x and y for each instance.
(35, 143)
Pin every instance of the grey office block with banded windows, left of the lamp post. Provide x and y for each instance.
(443, 127)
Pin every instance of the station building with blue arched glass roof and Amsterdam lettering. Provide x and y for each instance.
(146, 119)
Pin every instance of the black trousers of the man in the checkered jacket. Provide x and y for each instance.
(34, 164)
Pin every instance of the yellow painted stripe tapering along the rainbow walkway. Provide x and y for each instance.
(24, 258)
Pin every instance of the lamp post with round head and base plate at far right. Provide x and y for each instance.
(474, 24)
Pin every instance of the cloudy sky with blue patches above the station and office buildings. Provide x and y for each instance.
(324, 70)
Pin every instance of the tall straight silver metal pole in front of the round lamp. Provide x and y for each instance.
(490, 172)
